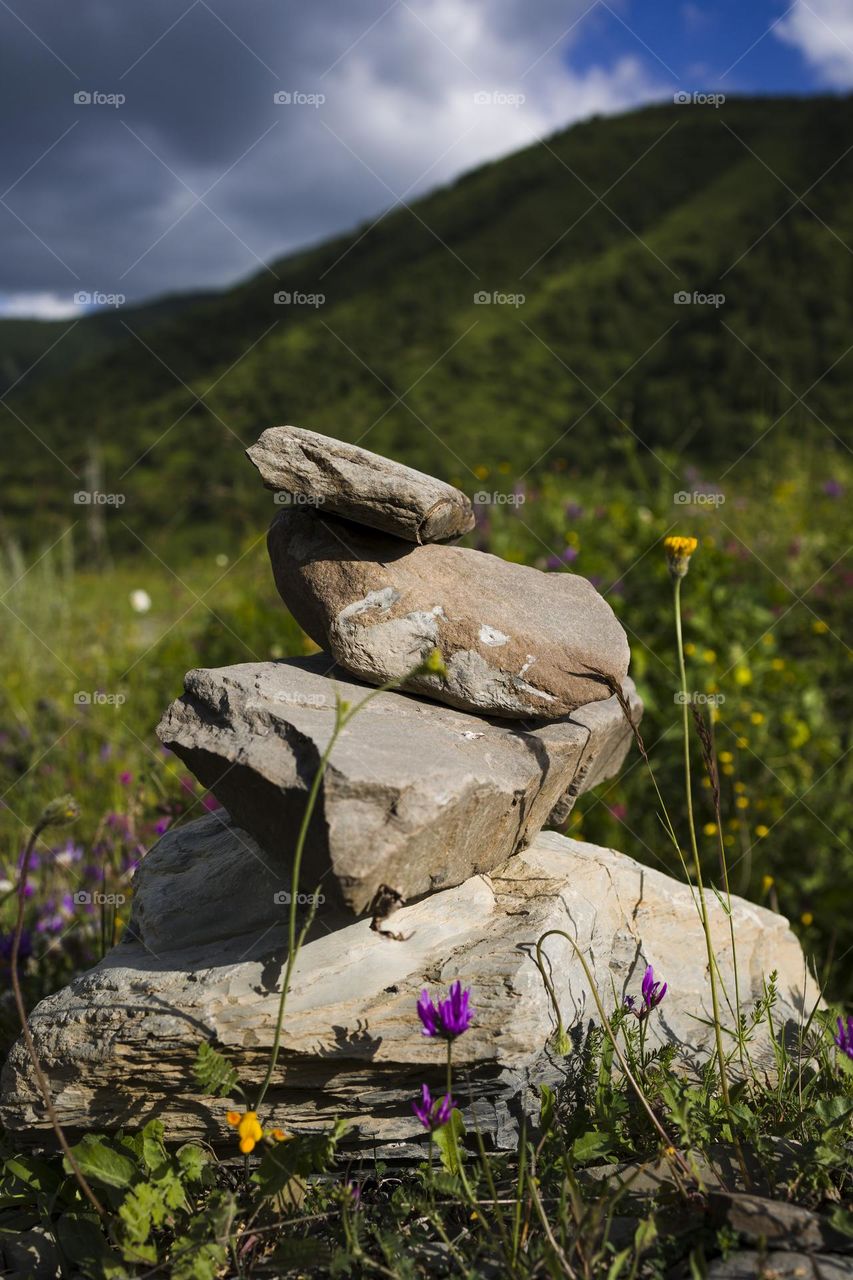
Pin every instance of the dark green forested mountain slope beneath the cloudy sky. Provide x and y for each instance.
(582, 358)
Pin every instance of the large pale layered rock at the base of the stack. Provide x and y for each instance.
(117, 1045)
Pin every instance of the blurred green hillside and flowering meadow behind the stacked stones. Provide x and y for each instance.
(609, 413)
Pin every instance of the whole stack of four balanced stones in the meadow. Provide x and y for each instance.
(430, 826)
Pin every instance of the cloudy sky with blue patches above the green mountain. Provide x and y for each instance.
(154, 147)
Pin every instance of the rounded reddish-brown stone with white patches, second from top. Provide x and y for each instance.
(517, 642)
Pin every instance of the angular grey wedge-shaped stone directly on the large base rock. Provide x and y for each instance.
(417, 797)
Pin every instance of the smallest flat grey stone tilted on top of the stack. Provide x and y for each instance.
(361, 486)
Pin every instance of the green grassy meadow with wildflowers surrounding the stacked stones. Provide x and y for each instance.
(624, 1174)
